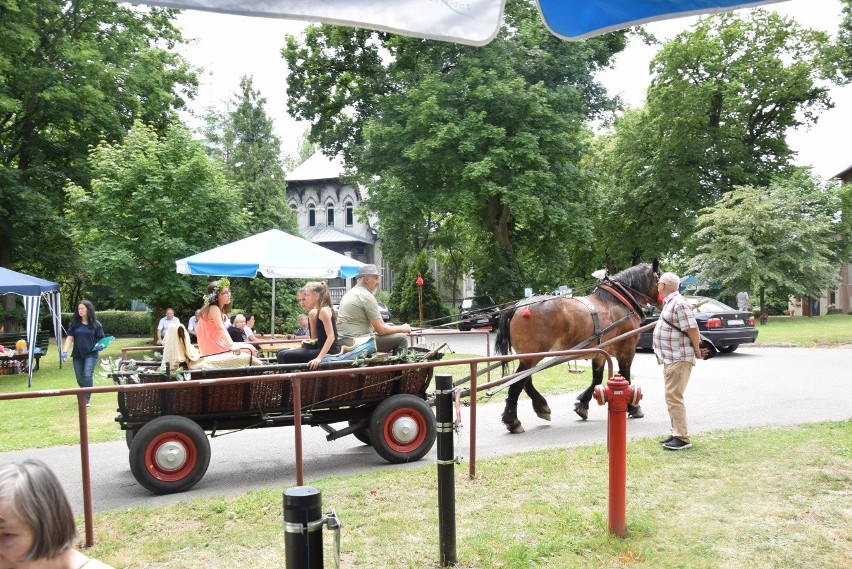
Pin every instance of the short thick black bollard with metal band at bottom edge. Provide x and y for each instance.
(303, 522)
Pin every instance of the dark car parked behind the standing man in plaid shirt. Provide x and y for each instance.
(726, 327)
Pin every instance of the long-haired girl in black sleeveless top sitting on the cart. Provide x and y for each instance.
(324, 339)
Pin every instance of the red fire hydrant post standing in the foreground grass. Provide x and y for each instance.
(619, 394)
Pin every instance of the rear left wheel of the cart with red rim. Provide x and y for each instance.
(169, 454)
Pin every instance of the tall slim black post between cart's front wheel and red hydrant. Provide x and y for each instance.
(446, 469)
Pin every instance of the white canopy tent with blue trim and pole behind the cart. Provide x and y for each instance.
(274, 254)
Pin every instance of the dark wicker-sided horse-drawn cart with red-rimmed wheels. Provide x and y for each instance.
(166, 428)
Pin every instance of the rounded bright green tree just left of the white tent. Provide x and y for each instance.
(154, 199)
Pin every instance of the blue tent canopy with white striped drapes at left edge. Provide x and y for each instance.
(32, 289)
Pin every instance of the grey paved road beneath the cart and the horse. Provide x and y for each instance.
(751, 387)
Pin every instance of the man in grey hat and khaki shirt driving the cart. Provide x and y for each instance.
(358, 315)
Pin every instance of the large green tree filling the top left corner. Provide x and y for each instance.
(72, 73)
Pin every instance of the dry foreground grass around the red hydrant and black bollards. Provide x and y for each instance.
(761, 498)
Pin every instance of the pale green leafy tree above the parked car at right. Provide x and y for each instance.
(785, 237)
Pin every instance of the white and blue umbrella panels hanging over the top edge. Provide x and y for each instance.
(473, 22)
